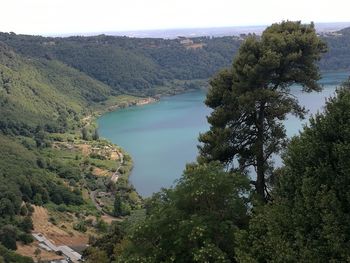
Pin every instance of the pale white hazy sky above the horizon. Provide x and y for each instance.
(80, 16)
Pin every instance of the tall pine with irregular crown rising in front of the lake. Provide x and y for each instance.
(251, 99)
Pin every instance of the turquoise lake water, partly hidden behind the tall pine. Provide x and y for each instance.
(162, 137)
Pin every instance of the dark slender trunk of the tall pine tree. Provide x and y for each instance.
(260, 157)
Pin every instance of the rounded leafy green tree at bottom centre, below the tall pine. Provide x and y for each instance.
(194, 222)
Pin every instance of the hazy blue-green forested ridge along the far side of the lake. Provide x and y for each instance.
(139, 65)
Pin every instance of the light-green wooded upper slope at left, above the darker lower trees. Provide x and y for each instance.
(44, 92)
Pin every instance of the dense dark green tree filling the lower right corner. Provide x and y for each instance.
(308, 220)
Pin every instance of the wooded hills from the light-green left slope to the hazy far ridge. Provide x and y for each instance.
(51, 81)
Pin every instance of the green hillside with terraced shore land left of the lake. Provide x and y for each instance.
(46, 110)
